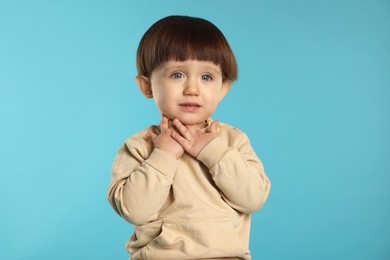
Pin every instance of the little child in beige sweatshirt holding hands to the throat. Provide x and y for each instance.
(189, 184)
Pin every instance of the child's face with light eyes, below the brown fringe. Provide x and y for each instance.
(188, 90)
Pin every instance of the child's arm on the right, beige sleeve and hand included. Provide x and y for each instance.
(236, 169)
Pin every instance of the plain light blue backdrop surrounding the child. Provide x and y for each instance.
(313, 95)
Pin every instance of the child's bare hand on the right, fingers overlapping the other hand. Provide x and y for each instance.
(193, 140)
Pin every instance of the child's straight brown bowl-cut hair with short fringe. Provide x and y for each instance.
(181, 38)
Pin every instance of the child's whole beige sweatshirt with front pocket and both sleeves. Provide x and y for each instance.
(191, 208)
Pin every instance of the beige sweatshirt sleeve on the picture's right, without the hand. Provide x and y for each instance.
(238, 172)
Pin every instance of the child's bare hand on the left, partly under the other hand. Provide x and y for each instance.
(164, 140)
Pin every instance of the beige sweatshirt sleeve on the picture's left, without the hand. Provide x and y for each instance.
(140, 182)
